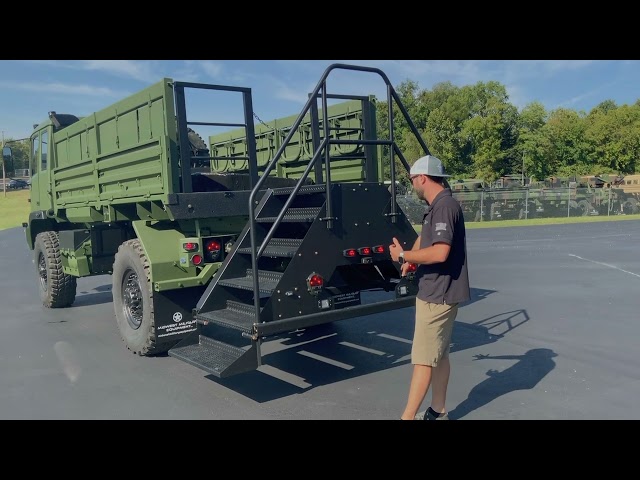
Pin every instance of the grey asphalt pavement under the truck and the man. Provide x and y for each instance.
(550, 333)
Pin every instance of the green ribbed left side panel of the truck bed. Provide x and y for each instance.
(119, 154)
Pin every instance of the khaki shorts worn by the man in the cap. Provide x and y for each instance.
(432, 335)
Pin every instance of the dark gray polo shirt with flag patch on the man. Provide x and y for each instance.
(446, 282)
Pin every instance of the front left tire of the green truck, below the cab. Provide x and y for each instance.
(57, 289)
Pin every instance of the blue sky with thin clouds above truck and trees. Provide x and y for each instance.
(31, 88)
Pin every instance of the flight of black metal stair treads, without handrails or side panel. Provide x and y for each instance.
(229, 300)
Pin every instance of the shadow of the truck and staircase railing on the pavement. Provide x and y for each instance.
(331, 353)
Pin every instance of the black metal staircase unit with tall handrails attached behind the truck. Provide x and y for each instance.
(295, 234)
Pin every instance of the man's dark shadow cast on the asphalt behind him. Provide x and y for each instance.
(531, 367)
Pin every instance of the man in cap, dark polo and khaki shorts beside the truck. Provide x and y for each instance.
(440, 251)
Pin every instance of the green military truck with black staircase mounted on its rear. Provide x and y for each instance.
(212, 249)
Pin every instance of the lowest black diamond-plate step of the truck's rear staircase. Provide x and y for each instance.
(217, 358)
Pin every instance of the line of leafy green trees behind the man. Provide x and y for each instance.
(478, 133)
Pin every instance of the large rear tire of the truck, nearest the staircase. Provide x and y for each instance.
(133, 299)
